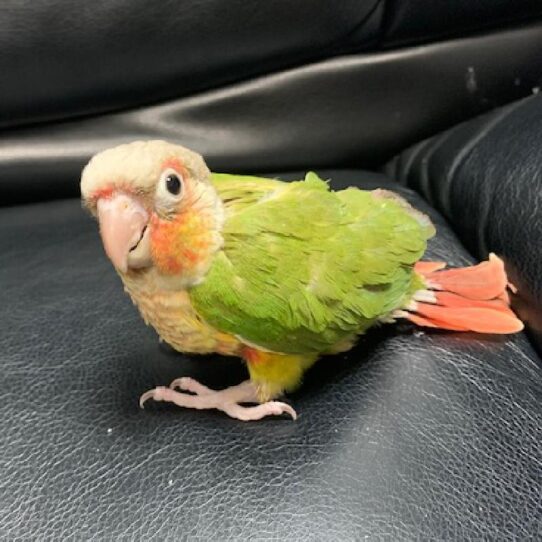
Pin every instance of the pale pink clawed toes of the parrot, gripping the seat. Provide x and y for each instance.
(227, 400)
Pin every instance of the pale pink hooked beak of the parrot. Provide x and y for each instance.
(123, 222)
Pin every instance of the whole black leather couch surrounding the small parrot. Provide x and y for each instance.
(414, 435)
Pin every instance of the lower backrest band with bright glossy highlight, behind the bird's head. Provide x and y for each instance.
(348, 110)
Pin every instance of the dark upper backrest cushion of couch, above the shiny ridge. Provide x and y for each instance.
(67, 58)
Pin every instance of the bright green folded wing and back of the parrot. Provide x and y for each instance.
(303, 267)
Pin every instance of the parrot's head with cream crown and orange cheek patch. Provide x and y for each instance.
(156, 208)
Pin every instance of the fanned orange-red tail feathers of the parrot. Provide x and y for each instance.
(467, 299)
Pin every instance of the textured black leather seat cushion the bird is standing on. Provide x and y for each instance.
(412, 436)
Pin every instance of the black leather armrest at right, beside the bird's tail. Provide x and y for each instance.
(485, 177)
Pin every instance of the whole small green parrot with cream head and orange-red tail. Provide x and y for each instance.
(276, 273)
